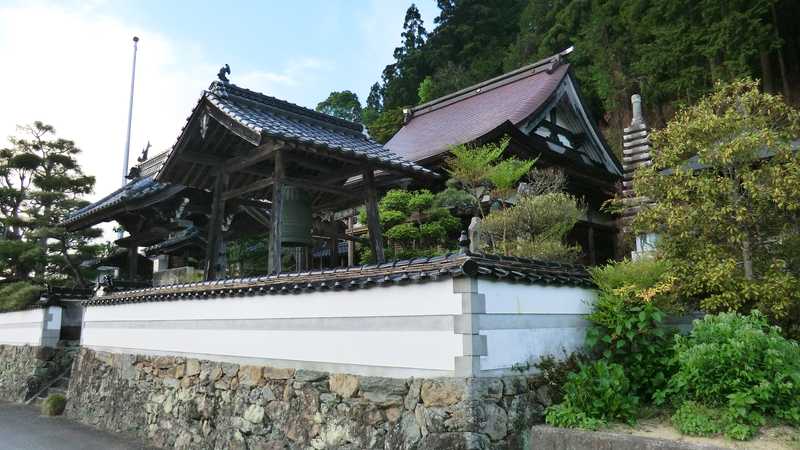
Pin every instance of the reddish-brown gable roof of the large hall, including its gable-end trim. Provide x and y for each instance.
(516, 97)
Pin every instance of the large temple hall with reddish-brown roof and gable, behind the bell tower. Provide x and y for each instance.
(540, 109)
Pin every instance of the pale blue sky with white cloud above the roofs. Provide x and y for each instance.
(68, 63)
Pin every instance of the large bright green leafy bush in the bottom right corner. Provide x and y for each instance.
(742, 365)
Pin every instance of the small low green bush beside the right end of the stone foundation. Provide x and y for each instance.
(598, 393)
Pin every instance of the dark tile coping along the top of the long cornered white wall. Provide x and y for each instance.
(396, 272)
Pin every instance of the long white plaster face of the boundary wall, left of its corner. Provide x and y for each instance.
(320, 327)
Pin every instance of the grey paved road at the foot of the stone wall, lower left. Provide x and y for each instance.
(22, 428)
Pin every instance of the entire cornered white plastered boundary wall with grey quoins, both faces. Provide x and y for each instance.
(462, 327)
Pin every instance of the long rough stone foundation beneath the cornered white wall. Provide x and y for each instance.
(186, 403)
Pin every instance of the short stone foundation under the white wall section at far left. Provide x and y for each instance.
(25, 369)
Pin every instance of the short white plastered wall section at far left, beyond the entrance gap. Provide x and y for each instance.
(35, 327)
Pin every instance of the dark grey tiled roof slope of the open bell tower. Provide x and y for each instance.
(280, 119)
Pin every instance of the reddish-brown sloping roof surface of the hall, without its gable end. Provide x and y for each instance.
(467, 115)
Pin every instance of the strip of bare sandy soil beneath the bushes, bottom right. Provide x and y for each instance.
(770, 438)
